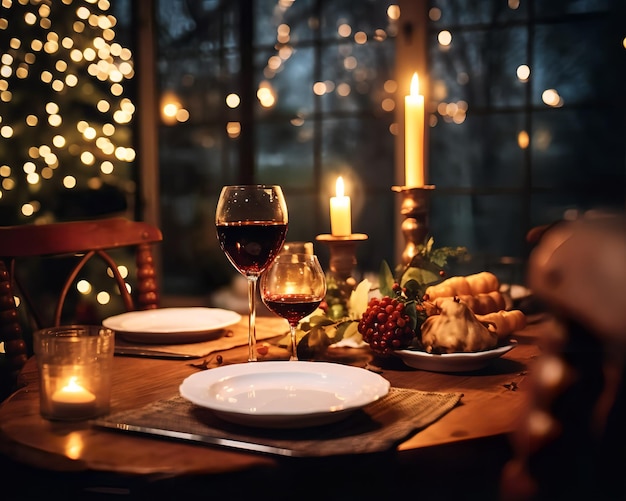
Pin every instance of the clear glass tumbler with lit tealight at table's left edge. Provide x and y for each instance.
(75, 366)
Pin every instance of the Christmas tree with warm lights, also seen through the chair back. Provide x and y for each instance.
(66, 144)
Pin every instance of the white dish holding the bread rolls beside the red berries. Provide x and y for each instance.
(451, 362)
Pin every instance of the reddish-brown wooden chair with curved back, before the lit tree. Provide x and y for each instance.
(83, 240)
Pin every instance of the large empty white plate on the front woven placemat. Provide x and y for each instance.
(284, 394)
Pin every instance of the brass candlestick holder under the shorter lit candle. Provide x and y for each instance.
(342, 264)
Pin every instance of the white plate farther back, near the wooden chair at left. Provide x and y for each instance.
(172, 325)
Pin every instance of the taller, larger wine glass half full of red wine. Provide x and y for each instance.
(251, 222)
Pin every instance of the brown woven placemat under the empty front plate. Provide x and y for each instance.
(378, 427)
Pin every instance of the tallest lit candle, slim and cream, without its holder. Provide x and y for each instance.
(414, 136)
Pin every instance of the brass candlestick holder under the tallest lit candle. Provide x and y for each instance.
(415, 208)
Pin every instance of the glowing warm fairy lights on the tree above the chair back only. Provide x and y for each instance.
(63, 114)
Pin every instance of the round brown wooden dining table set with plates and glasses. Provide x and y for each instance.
(461, 452)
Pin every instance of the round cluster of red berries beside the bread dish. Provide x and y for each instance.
(385, 325)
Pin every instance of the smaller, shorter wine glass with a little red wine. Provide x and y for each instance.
(293, 287)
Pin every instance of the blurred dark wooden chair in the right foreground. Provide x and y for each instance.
(571, 444)
